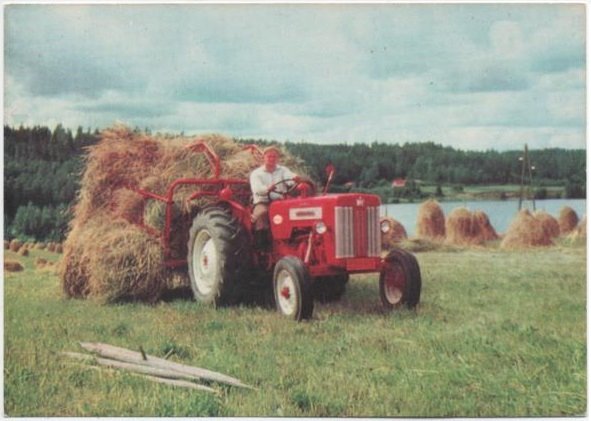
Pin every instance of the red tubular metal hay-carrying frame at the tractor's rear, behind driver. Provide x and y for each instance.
(213, 188)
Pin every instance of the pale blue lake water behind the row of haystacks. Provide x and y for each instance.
(500, 212)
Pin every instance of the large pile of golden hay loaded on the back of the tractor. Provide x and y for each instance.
(122, 261)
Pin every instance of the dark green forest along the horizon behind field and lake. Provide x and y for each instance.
(43, 167)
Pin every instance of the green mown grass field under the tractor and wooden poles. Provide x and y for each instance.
(496, 334)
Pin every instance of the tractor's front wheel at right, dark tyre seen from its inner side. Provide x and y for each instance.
(400, 280)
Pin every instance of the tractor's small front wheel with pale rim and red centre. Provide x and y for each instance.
(292, 287)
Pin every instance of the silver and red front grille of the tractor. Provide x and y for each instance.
(357, 232)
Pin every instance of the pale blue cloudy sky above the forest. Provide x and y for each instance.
(470, 76)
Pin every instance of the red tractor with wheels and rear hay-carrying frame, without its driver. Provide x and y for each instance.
(317, 241)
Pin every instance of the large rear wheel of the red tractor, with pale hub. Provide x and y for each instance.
(217, 256)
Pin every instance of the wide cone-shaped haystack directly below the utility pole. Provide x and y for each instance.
(525, 231)
